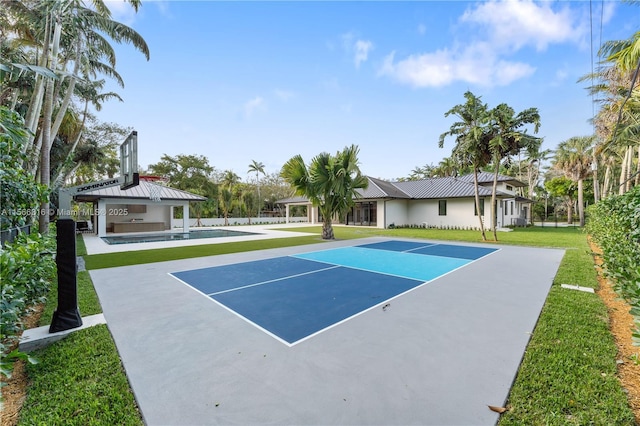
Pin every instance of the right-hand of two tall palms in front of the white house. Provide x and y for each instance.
(507, 139)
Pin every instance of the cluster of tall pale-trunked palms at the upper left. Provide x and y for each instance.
(70, 41)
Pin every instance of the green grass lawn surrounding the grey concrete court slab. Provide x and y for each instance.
(567, 376)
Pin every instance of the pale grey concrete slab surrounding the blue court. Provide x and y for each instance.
(438, 355)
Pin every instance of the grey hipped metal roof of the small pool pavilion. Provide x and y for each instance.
(141, 191)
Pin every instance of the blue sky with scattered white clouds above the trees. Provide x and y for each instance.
(264, 81)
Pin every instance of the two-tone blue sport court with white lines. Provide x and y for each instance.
(295, 297)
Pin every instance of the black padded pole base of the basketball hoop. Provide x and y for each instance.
(67, 315)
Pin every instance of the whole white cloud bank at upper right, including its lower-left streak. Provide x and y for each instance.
(489, 34)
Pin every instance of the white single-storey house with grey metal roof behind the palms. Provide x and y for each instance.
(436, 202)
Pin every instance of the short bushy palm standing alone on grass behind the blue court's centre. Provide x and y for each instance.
(331, 182)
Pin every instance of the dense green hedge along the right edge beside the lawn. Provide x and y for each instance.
(614, 224)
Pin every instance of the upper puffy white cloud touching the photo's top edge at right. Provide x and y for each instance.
(514, 24)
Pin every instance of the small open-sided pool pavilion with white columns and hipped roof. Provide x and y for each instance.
(143, 208)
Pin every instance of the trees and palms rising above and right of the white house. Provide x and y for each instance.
(581, 170)
